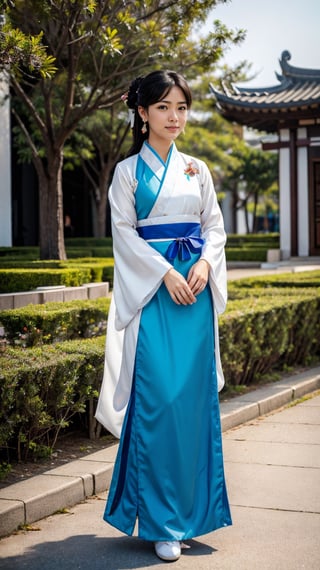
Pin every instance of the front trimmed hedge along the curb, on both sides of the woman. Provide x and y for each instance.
(42, 388)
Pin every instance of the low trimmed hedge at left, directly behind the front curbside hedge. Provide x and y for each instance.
(54, 322)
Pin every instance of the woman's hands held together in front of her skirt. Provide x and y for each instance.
(184, 291)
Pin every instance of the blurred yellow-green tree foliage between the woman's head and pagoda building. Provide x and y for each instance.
(248, 172)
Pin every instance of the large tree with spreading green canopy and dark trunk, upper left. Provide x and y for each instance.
(92, 49)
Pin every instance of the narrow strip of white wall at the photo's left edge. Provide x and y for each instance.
(5, 167)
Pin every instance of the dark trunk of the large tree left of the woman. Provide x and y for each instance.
(51, 221)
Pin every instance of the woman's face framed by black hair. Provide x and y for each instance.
(167, 118)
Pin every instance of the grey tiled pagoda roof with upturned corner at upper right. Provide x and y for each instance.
(296, 96)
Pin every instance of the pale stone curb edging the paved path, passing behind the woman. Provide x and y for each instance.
(43, 495)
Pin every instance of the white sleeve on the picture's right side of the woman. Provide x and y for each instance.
(215, 238)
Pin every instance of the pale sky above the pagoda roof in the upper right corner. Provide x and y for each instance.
(273, 26)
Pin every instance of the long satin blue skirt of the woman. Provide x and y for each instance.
(169, 471)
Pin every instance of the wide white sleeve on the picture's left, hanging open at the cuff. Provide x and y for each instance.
(139, 269)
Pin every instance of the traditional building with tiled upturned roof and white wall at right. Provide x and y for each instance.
(290, 109)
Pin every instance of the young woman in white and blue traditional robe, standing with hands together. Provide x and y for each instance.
(162, 371)
